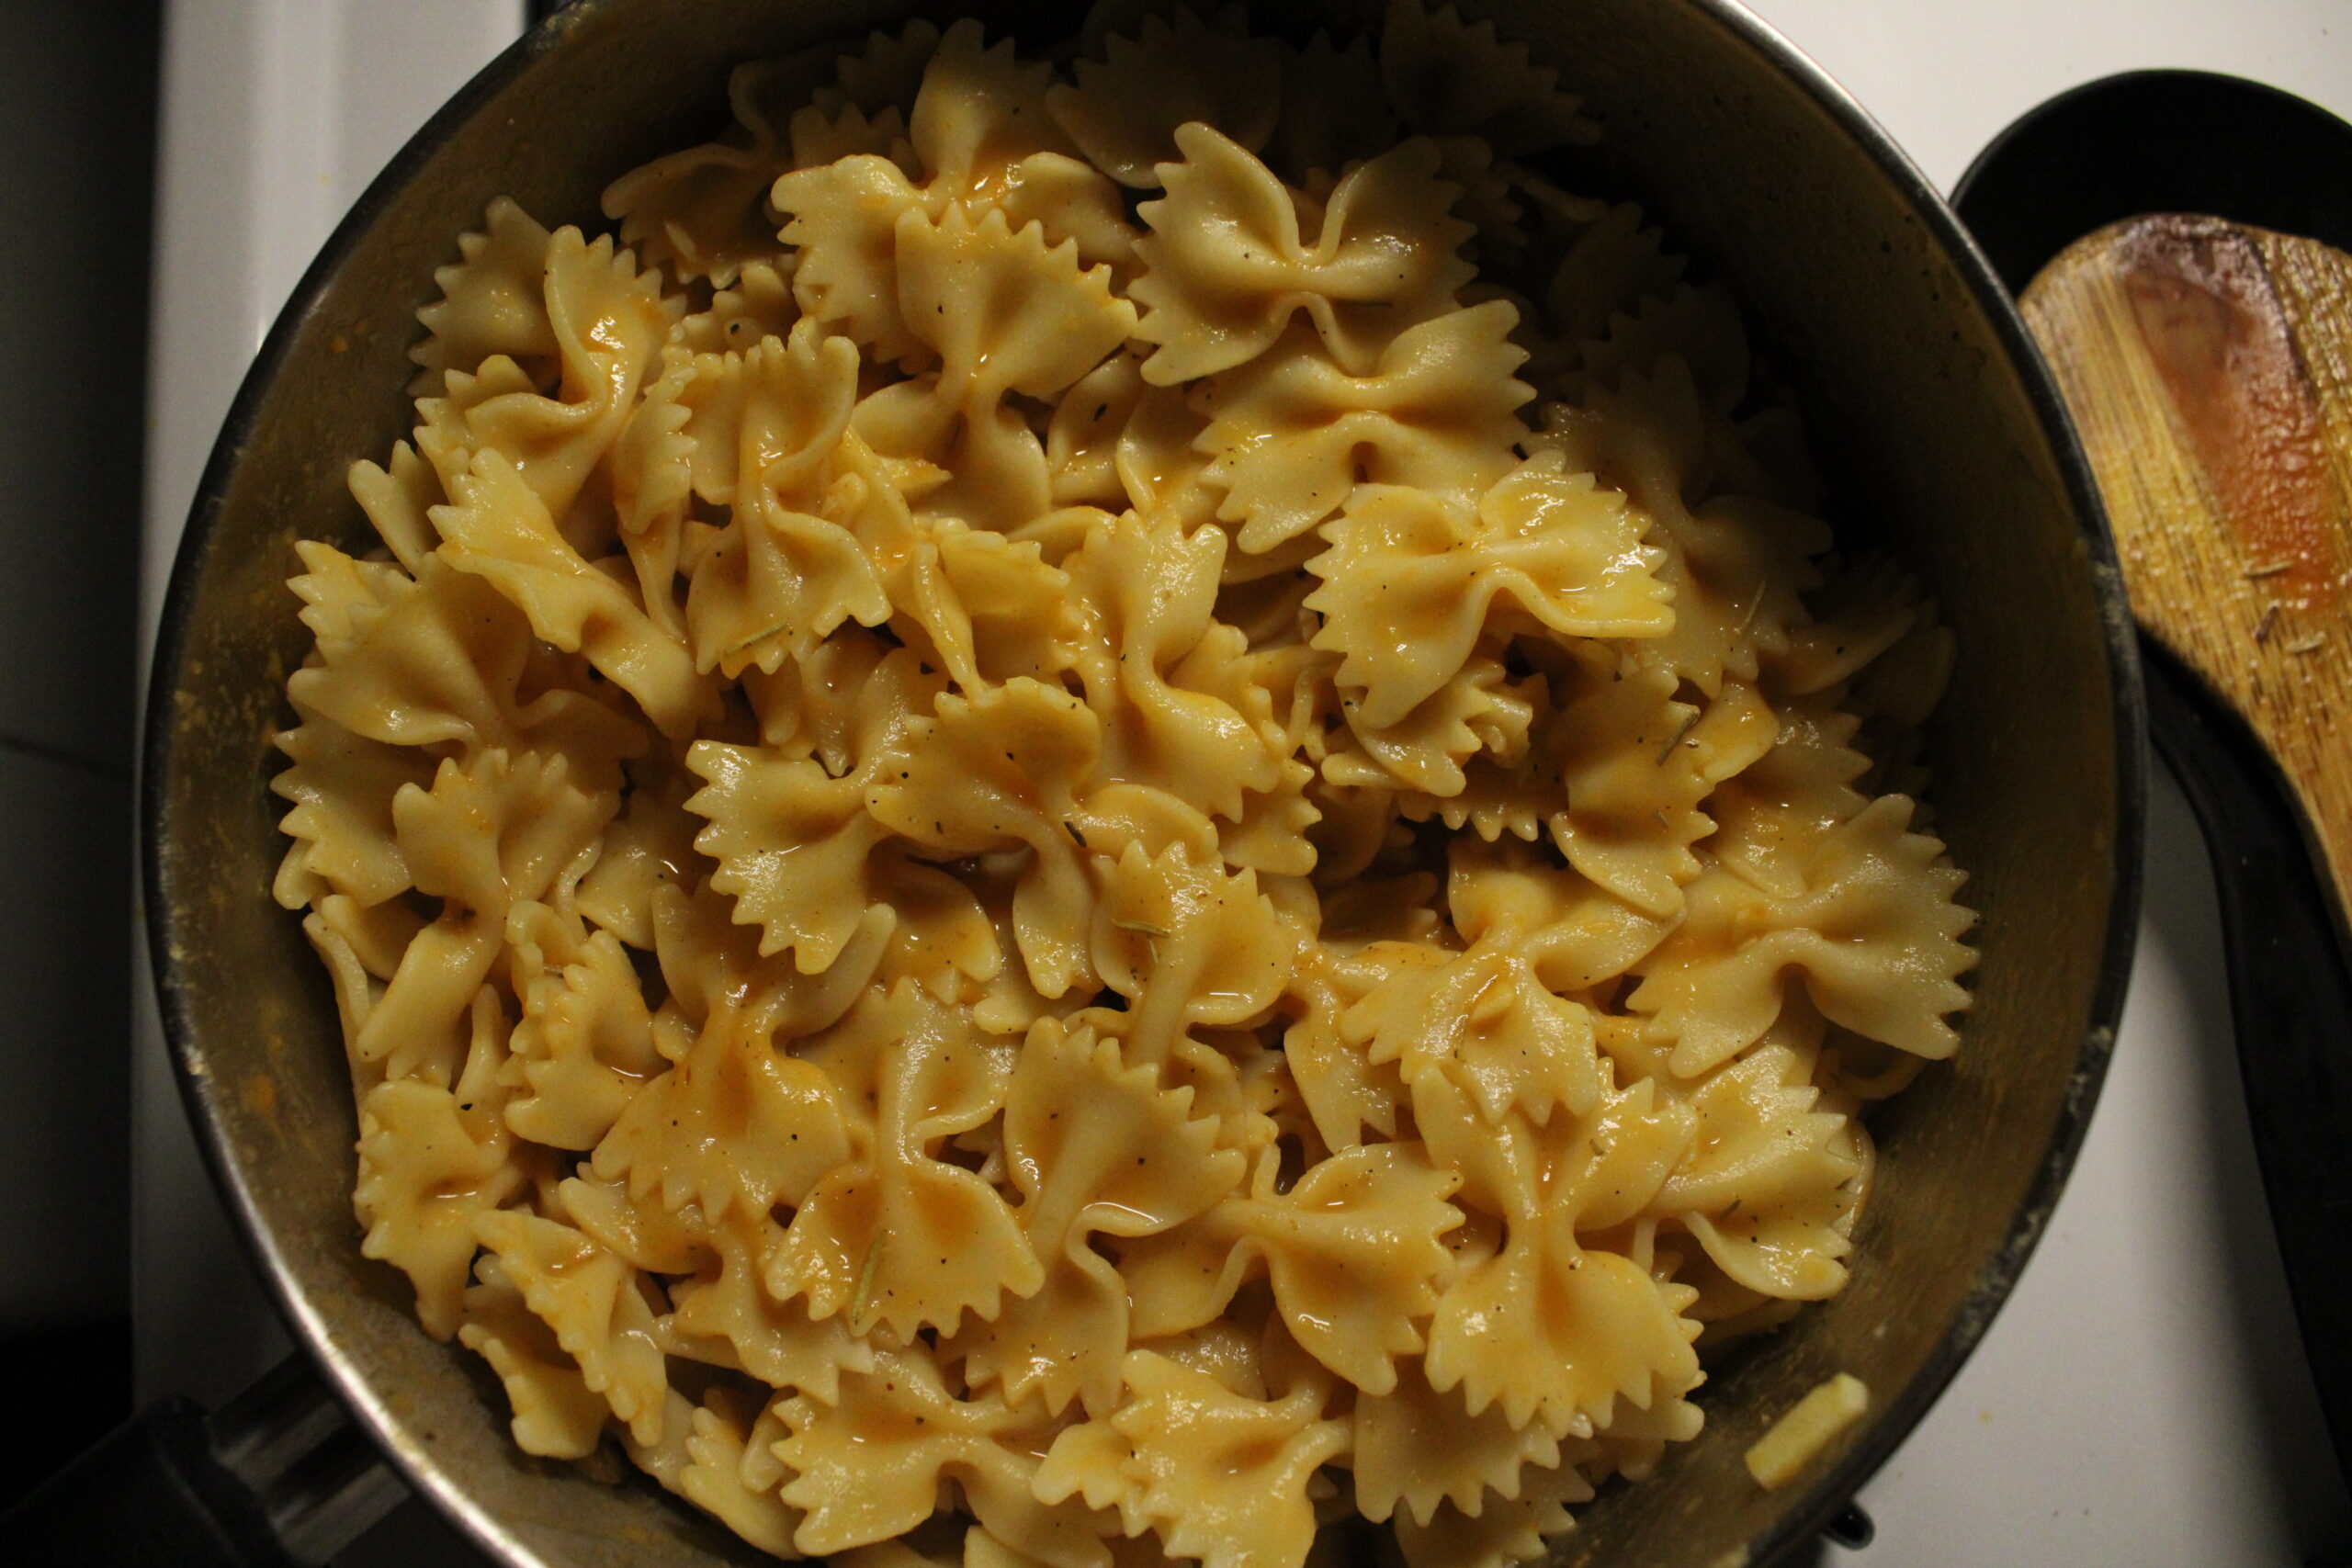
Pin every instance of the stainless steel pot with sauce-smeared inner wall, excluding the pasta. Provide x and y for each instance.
(1935, 422)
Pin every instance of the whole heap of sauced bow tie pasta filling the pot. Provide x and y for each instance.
(1097, 812)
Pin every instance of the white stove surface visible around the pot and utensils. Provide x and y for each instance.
(2141, 1400)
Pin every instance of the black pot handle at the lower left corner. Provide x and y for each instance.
(279, 1480)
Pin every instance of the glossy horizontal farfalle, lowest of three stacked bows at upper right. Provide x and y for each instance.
(1412, 584)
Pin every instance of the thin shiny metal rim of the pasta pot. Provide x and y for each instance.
(1885, 1428)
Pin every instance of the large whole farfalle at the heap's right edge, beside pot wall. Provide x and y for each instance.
(1876, 934)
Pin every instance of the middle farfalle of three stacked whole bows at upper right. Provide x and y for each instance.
(1290, 434)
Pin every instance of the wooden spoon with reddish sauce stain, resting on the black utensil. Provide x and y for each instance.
(2210, 373)
